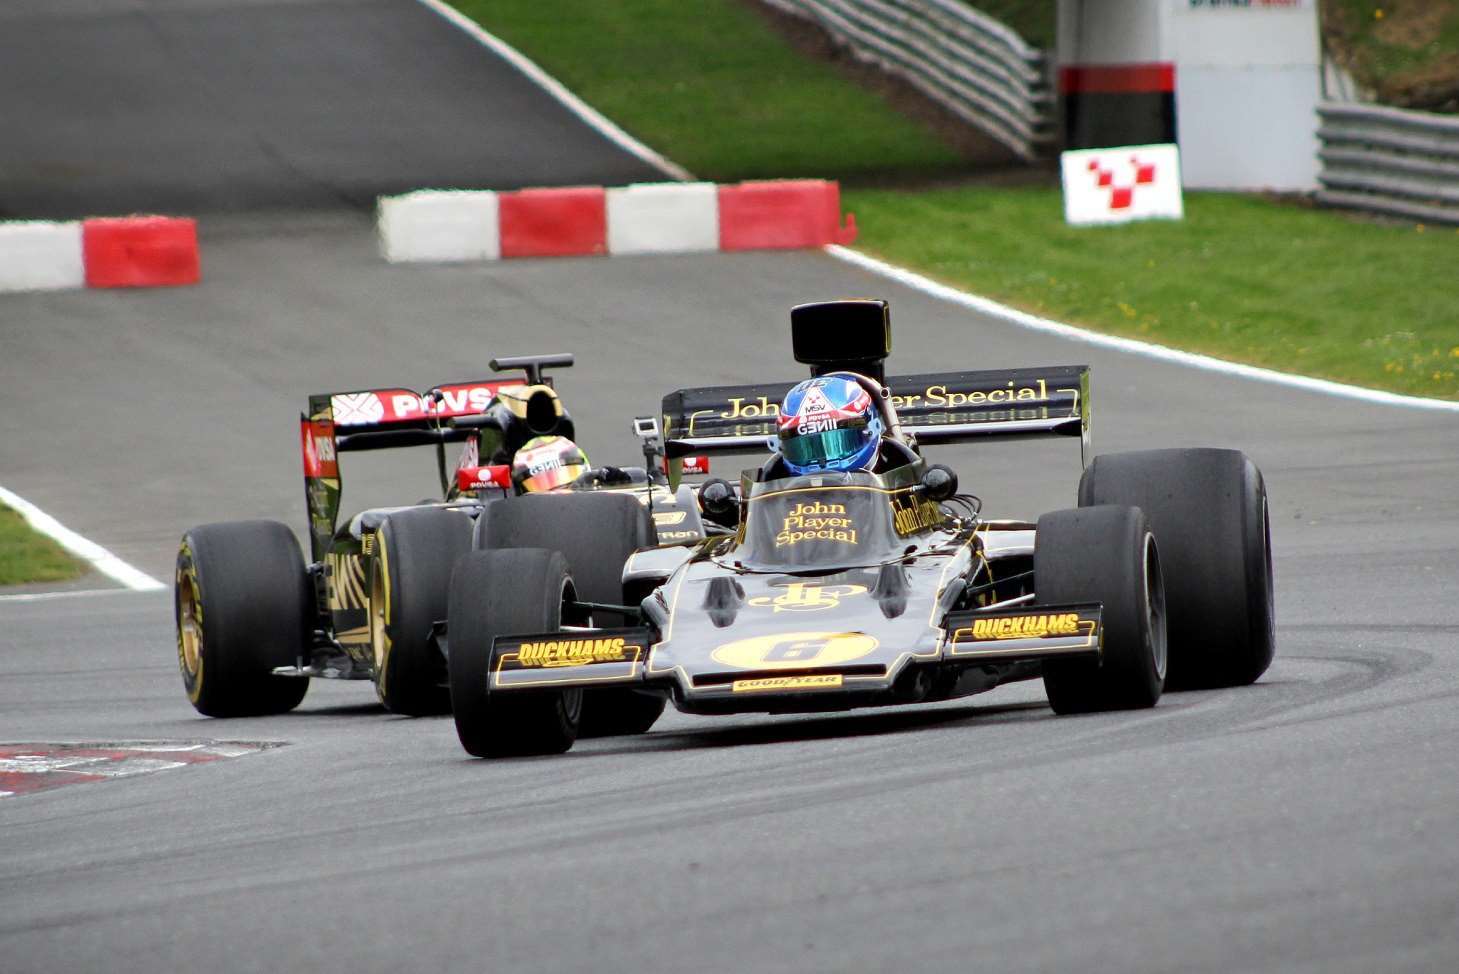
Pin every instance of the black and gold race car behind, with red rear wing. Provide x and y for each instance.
(256, 622)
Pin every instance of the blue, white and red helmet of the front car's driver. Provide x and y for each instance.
(829, 424)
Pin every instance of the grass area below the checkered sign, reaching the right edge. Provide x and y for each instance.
(1242, 278)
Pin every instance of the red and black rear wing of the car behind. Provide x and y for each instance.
(380, 419)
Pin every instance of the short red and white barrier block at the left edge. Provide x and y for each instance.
(133, 252)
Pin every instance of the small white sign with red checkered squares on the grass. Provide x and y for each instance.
(1118, 186)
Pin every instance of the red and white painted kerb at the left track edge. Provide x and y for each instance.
(39, 768)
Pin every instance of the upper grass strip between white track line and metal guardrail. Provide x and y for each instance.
(714, 88)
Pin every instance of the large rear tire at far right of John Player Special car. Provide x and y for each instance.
(1210, 515)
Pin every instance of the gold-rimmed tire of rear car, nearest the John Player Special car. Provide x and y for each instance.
(411, 577)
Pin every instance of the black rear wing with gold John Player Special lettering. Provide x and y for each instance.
(934, 408)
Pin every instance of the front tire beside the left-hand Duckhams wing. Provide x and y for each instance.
(504, 594)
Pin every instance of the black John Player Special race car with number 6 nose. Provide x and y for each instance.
(889, 587)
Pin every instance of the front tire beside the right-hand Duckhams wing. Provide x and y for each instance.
(1105, 555)
